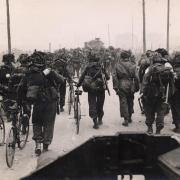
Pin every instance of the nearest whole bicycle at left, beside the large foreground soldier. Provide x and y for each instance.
(18, 133)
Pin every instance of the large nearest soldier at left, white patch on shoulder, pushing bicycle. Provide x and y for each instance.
(39, 87)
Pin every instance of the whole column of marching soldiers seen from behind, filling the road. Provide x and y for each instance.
(39, 78)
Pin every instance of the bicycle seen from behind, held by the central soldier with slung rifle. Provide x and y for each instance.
(77, 108)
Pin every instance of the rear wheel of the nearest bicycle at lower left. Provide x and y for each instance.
(10, 147)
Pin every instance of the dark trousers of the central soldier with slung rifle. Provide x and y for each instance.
(96, 103)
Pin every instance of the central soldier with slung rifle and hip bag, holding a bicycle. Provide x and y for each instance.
(96, 94)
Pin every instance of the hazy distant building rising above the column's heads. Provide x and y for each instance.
(94, 44)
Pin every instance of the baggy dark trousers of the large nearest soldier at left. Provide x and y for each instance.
(43, 119)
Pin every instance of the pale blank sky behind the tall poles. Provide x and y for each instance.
(69, 23)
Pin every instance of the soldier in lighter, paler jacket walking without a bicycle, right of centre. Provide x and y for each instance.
(125, 83)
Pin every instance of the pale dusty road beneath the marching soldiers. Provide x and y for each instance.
(65, 138)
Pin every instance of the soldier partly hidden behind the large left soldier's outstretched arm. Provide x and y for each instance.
(60, 65)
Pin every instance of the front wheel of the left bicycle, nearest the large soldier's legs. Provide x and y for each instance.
(23, 132)
